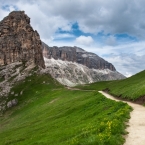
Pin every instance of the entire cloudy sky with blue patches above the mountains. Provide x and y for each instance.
(112, 29)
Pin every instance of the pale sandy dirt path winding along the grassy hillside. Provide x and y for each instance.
(136, 123)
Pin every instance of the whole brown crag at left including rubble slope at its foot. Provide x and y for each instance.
(20, 54)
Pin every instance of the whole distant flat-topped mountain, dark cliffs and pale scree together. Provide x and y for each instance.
(73, 65)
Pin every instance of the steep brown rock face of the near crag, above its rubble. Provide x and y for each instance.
(18, 40)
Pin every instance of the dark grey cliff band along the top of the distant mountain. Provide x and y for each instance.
(78, 55)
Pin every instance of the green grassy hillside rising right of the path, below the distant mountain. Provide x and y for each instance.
(131, 88)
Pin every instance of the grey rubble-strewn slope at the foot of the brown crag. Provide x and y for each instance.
(9, 76)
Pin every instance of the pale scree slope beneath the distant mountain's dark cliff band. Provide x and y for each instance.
(72, 73)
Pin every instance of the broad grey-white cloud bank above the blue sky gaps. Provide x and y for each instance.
(111, 16)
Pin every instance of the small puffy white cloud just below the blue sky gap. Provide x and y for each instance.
(84, 40)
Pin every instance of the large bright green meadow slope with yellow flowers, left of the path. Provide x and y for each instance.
(50, 114)
